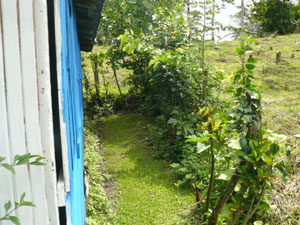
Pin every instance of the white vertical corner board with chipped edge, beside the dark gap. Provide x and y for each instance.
(45, 106)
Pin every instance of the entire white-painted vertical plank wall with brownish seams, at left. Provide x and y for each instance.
(25, 109)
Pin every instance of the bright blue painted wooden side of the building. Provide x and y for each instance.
(73, 111)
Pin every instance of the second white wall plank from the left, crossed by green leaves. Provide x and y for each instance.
(15, 103)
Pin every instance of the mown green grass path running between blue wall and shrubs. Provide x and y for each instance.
(144, 191)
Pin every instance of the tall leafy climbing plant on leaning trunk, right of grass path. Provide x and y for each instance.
(258, 152)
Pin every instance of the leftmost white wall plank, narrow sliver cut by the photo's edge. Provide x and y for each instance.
(6, 185)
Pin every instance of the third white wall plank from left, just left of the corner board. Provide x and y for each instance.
(32, 128)
